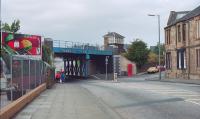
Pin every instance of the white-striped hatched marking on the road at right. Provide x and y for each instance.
(168, 90)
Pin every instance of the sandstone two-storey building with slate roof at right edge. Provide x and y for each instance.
(182, 43)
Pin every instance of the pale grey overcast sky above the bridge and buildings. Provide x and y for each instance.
(88, 20)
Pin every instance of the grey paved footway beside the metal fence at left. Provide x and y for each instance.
(67, 101)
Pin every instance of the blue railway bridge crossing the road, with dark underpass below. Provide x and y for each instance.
(82, 60)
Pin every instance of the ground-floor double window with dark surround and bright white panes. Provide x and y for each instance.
(181, 59)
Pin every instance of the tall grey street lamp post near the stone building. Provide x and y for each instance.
(158, 16)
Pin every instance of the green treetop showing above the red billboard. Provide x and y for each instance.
(13, 27)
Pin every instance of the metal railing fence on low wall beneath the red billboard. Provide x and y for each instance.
(26, 73)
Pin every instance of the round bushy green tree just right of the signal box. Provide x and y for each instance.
(138, 52)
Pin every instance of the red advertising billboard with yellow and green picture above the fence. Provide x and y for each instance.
(22, 44)
